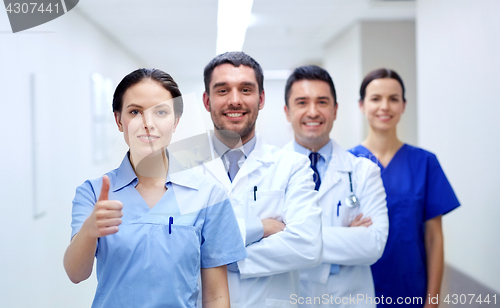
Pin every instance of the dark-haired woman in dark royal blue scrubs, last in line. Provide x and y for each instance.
(418, 194)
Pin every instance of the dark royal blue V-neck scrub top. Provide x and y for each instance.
(417, 190)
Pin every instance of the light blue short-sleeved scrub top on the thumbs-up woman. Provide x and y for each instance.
(154, 259)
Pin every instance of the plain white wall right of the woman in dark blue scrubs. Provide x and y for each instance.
(458, 47)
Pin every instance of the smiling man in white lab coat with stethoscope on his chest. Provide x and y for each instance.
(350, 192)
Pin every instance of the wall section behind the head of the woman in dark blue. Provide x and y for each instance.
(363, 47)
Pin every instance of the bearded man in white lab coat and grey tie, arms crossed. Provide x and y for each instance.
(271, 190)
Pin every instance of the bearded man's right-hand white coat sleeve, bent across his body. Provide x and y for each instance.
(299, 245)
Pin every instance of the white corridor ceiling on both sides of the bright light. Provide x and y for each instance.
(180, 36)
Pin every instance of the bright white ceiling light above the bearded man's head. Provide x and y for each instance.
(233, 18)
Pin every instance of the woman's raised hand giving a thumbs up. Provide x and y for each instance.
(106, 216)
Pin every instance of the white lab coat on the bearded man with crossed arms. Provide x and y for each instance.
(269, 276)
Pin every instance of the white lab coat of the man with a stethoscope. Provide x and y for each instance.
(354, 248)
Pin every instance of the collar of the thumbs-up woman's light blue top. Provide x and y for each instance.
(125, 175)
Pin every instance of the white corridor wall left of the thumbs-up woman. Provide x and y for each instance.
(62, 55)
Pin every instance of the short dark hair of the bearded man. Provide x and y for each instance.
(235, 58)
